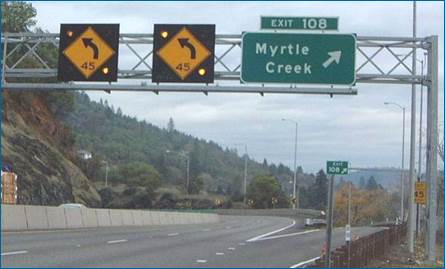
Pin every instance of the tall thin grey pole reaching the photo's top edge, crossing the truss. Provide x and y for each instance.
(411, 205)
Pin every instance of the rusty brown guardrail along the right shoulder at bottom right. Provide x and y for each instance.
(364, 249)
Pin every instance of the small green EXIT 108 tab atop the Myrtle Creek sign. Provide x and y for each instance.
(299, 23)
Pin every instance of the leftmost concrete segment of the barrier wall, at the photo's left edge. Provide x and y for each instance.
(13, 217)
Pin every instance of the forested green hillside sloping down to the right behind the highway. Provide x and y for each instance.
(120, 140)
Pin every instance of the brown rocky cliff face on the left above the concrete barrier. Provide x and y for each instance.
(33, 143)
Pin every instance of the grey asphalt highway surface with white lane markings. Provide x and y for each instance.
(236, 241)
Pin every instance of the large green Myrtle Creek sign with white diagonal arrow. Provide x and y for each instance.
(298, 58)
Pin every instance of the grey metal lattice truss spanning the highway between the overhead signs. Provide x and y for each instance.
(227, 65)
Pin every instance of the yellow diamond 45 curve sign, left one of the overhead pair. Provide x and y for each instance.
(89, 52)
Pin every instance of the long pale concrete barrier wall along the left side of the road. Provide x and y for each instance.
(24, 217)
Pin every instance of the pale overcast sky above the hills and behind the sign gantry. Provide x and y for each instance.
(355, 128)
